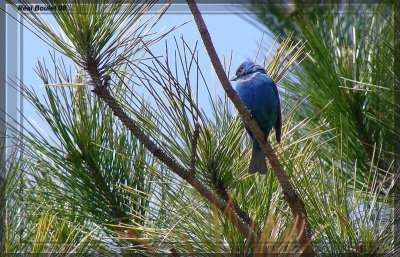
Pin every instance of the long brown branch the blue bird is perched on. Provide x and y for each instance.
(295, 203)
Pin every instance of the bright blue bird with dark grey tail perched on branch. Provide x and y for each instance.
(259, 94)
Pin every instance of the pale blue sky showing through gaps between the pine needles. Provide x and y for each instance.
(227, 26)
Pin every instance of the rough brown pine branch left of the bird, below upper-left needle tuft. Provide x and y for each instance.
(103, 93)
